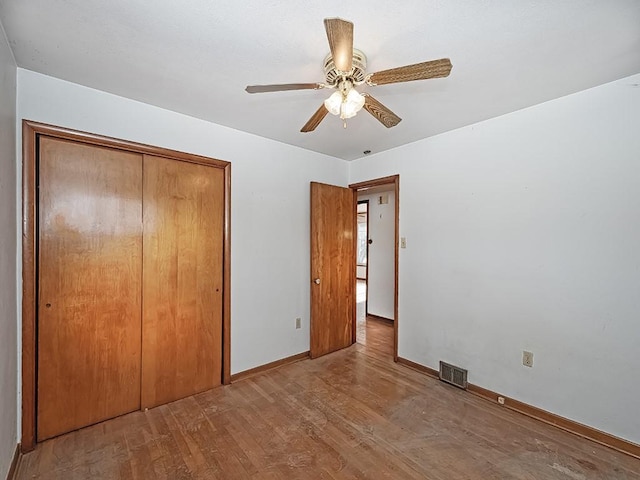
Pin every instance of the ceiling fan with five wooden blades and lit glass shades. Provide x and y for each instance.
(345, 68)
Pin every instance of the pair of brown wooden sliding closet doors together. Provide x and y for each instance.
(130, 282)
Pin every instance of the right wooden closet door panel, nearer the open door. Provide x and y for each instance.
(182, 279)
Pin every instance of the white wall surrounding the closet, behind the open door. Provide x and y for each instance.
(270, 204)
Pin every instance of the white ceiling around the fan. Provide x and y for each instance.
(197, 56)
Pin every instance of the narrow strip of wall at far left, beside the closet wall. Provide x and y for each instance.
(8, 238)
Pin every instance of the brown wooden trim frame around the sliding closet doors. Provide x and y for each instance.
(31, 131)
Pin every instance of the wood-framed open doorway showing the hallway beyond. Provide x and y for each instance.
(377, 264)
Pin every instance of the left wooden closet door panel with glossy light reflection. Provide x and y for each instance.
(89, 296)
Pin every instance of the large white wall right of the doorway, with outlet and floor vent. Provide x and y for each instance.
(523, 232)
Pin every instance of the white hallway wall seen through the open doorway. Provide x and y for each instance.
(381, 257)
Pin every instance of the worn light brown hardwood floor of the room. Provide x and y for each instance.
(353, 414)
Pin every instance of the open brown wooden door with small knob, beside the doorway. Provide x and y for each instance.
(333, 307)
